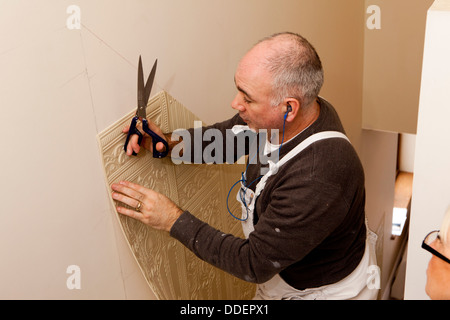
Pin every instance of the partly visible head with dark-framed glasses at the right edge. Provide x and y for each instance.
(438, 272)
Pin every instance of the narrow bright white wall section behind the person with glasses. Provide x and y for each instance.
(431, 195)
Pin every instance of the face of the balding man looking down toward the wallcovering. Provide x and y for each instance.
(253, 100)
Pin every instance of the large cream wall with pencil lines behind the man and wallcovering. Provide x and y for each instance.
(60, 87)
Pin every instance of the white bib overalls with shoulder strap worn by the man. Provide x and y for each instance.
(354, 286)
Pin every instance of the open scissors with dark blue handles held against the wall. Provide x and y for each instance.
(141, 114)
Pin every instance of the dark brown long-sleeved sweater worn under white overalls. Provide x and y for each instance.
(309, 219)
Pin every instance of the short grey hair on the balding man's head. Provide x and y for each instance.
(295, 67)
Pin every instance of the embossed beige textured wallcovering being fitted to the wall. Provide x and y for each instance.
(172, 271)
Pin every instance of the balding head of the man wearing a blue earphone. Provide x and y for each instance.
(279, 70)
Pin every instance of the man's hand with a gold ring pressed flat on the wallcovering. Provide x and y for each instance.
(151, 207)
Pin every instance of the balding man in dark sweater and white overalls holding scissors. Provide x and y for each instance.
(304, 220)
